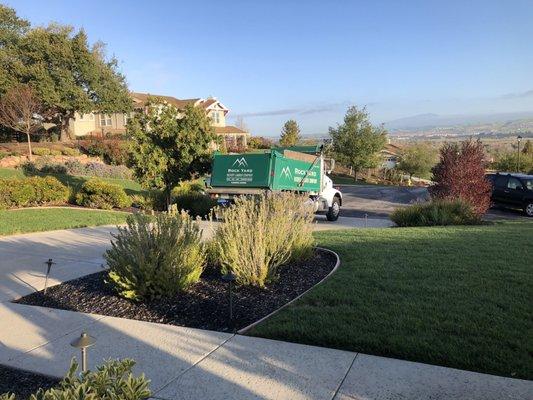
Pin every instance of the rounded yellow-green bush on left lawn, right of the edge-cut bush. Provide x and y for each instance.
(96, 193)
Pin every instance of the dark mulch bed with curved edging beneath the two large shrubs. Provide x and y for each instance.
(204, 306)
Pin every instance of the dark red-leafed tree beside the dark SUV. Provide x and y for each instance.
(460, 174)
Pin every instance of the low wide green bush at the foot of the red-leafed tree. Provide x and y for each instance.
(436, 212)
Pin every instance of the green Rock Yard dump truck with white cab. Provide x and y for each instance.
(275, 170)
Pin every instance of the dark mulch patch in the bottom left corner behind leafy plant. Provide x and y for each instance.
(23, 383)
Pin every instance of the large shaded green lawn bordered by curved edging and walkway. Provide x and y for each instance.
(454, 296)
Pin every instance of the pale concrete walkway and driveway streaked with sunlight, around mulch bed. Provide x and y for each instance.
(196, 364)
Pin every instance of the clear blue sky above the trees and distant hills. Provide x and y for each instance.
(310, 60)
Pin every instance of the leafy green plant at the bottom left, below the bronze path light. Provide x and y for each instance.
(112, 381)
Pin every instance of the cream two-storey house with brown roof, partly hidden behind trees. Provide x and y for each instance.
(93, 124)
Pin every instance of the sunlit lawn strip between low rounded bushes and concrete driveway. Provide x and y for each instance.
(48, 219)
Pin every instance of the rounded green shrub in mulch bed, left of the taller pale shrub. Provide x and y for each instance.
(156, 257)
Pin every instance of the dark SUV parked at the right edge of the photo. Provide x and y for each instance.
(513, 190)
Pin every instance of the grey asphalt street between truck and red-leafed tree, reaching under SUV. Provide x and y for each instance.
(379, 201)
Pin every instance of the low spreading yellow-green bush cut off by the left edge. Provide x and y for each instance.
(33, 191)
